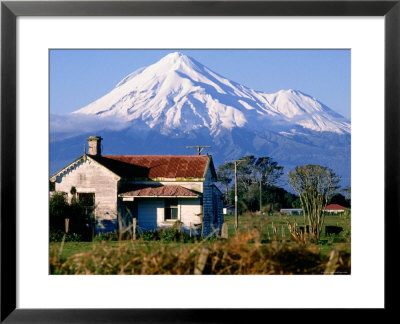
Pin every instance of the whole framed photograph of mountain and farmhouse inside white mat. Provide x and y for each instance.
(199, 161)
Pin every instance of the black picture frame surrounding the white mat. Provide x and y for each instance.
(10, 10)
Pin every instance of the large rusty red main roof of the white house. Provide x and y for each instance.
(157, 166)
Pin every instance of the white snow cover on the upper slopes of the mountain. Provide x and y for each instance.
(177, 92)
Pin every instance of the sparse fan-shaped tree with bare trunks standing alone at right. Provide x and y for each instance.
(314, 184)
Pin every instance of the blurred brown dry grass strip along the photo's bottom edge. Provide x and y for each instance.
(241, 254)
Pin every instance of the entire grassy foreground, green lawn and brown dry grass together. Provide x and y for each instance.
(254, 250)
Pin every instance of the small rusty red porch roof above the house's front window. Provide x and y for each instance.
(159, 191)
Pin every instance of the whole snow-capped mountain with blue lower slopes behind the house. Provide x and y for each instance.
(177, 101)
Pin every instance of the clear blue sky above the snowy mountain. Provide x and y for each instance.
(78, 77)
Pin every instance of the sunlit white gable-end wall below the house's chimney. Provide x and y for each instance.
(90, 177)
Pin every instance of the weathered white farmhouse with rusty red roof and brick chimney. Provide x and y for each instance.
(156, 190)
